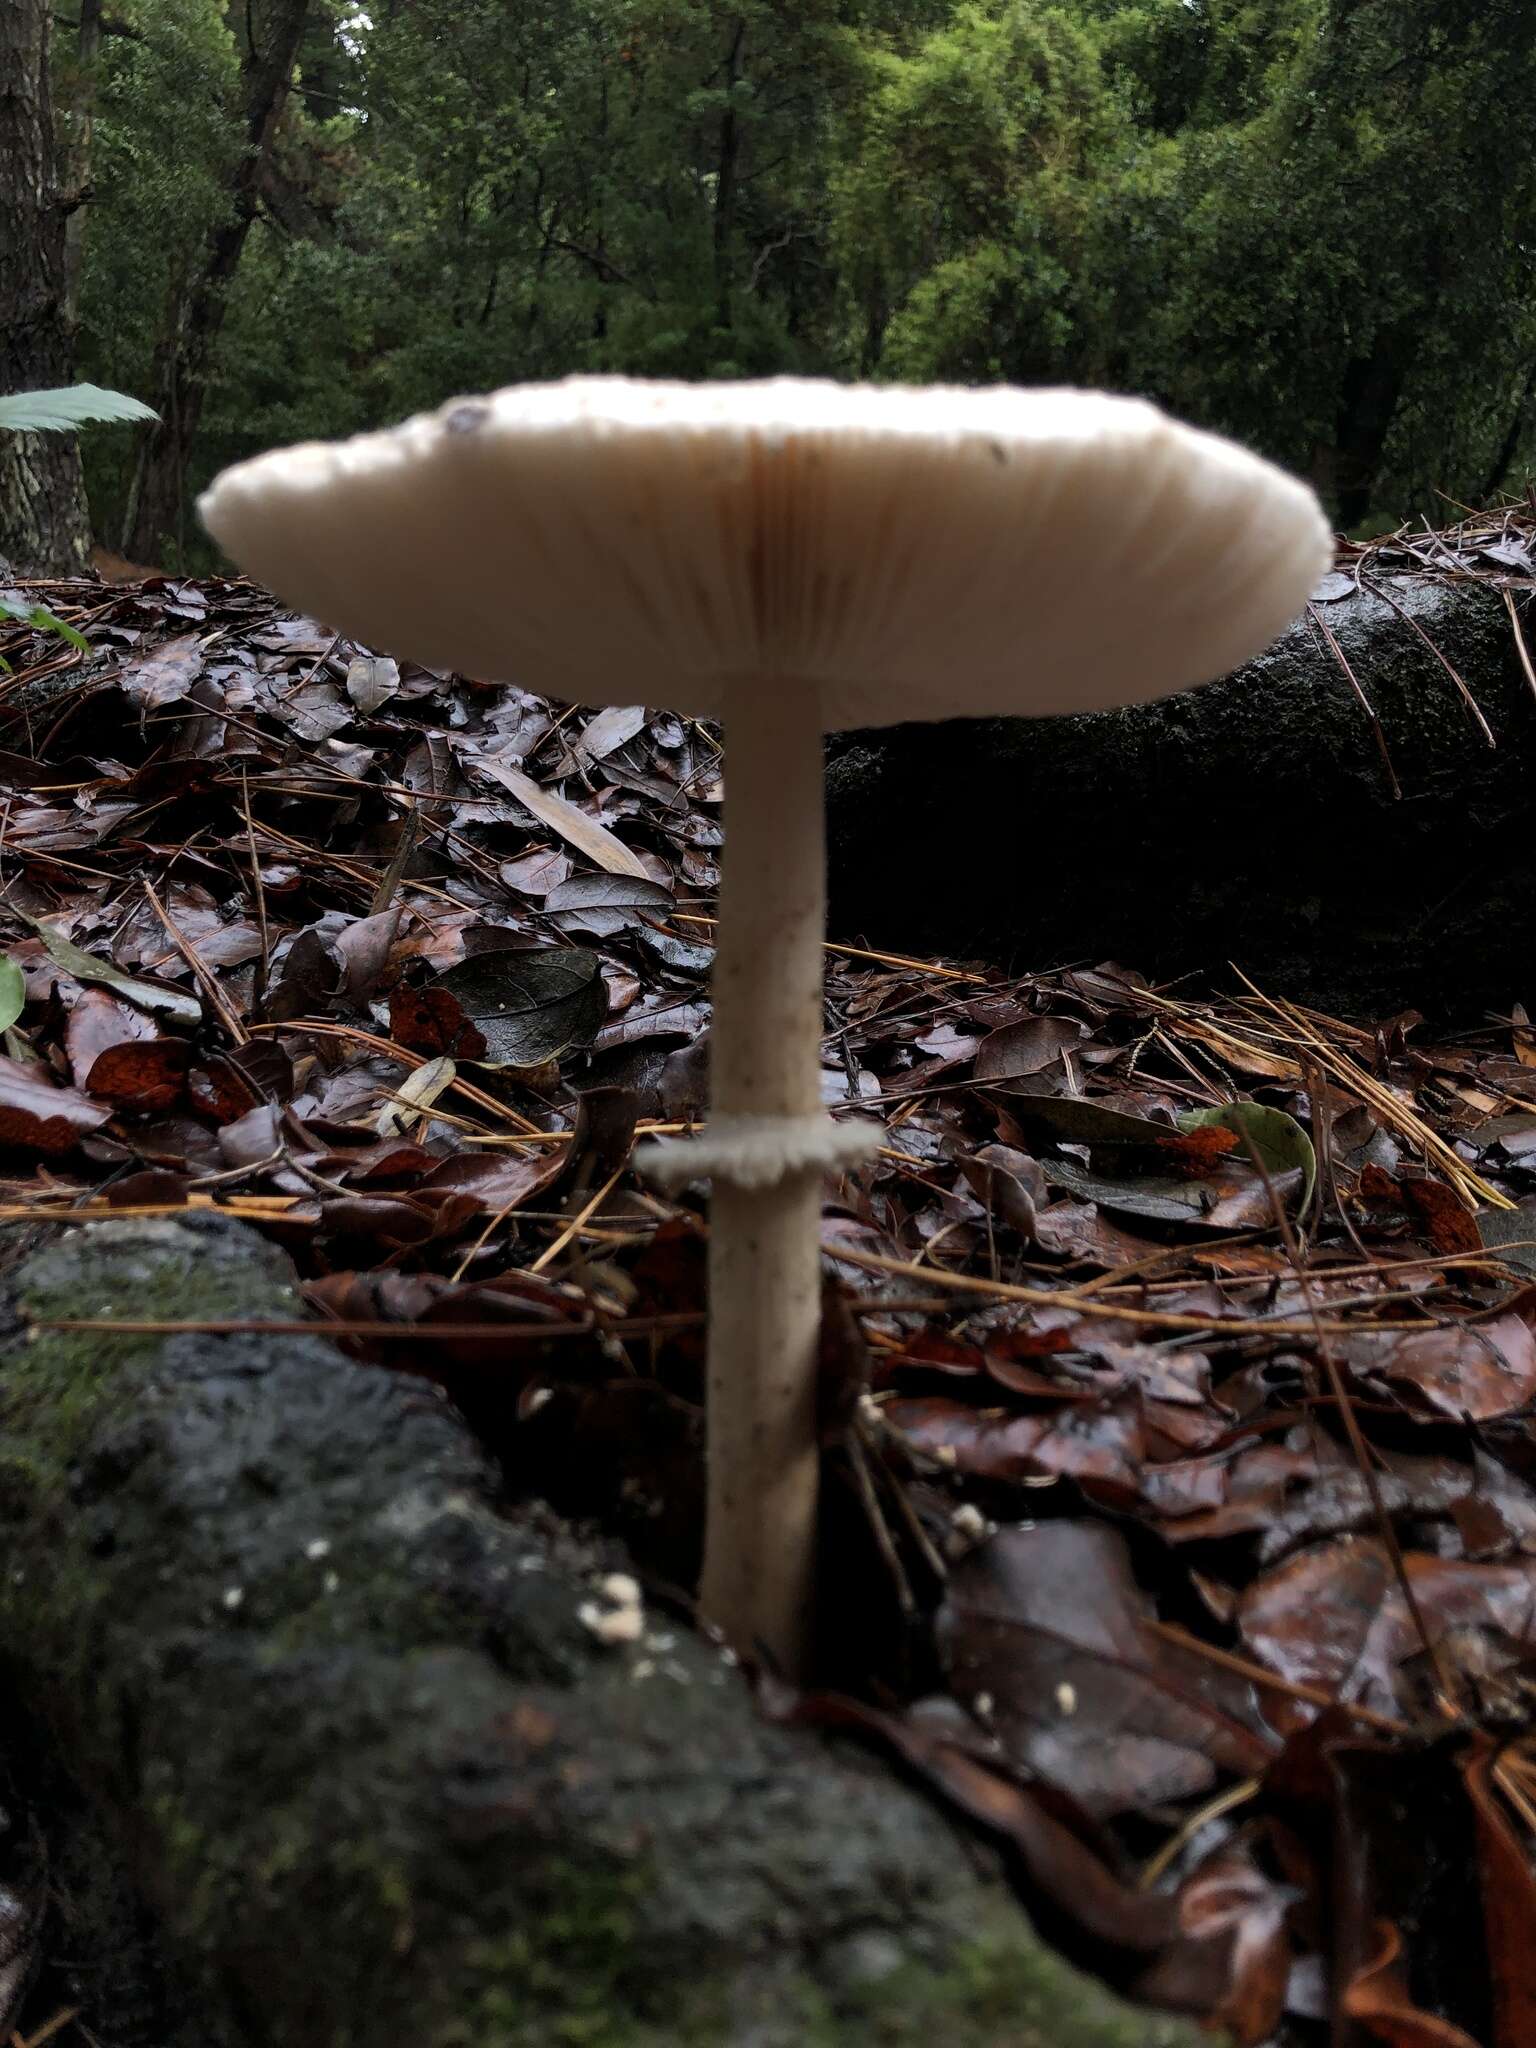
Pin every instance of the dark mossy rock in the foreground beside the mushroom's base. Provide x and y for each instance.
(370, 1760)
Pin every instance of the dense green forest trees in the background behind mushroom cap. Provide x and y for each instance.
(1310, 224)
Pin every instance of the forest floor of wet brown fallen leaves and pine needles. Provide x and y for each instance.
(1181, 1349)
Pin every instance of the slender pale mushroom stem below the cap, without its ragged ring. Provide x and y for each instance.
(765, 1258)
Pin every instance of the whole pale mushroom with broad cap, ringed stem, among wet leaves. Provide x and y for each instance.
(790, 558)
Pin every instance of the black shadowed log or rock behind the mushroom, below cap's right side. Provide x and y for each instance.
(1250, 822)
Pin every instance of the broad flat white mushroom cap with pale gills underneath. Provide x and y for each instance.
(912, 554)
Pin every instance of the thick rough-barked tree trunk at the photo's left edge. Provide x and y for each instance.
(44, 519)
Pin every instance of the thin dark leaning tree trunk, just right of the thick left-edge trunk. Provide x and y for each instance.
(157, 497)
